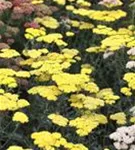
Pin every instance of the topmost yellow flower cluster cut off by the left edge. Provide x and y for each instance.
(8, 53)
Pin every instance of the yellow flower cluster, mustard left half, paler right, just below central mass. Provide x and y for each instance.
(87, 102)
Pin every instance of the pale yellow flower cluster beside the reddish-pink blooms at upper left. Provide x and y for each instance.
(48, 22)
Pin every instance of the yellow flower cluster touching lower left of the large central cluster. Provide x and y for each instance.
(49, 92)
